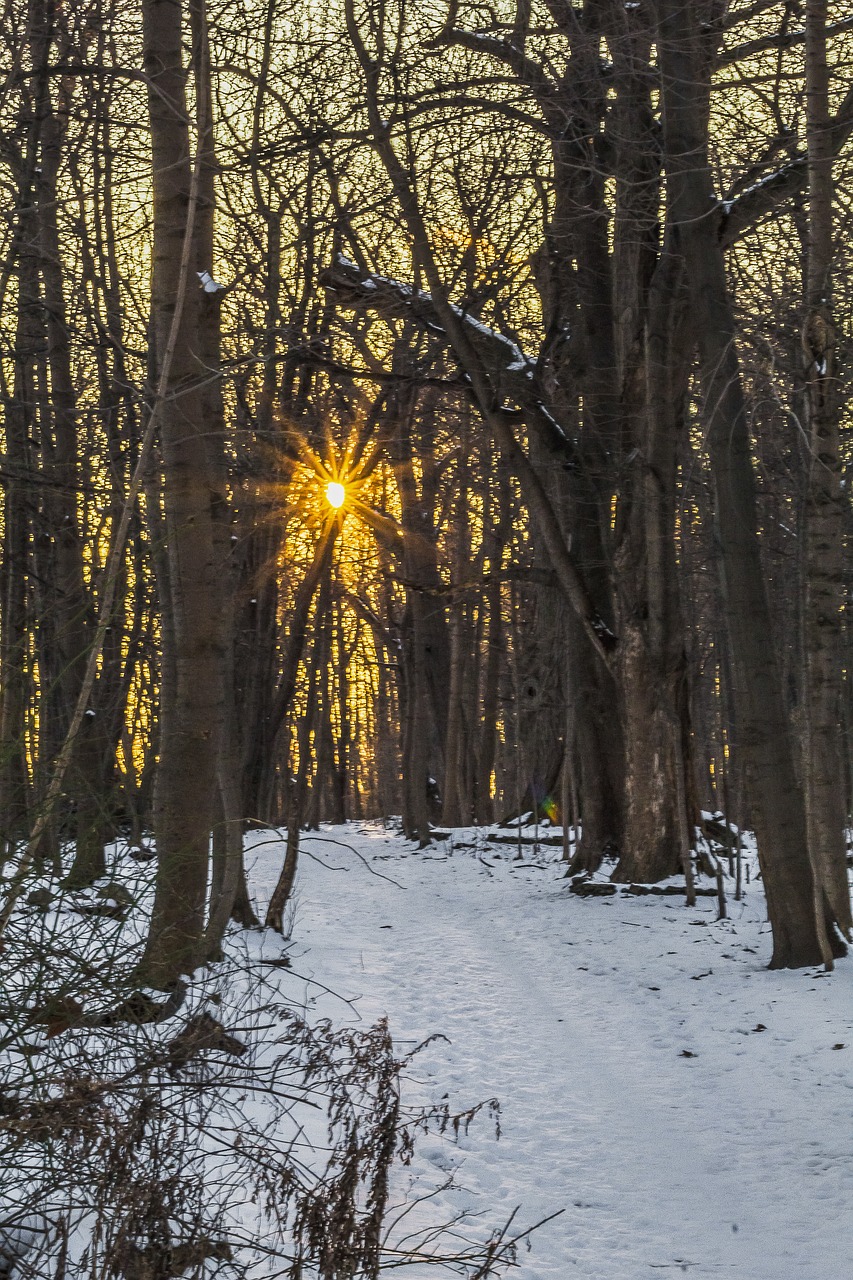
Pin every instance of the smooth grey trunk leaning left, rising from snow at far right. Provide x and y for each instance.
(800, 938)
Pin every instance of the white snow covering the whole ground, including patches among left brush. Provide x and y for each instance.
(651, 1094)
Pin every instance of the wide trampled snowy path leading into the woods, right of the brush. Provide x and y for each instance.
(737, 1162)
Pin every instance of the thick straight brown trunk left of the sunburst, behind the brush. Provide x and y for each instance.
(191, 705)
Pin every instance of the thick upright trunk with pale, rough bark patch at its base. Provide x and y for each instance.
(649, 365)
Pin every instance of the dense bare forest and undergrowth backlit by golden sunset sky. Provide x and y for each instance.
(432, 414)
